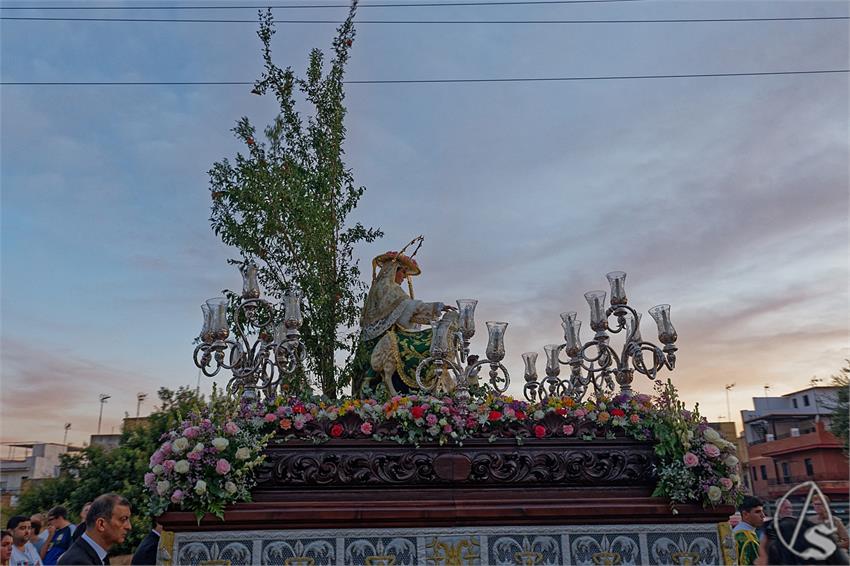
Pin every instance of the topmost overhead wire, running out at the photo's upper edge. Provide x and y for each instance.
(314, 6)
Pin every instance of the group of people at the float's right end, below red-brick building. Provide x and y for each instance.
(786, 539)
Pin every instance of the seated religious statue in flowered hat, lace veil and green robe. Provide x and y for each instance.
(391, 342)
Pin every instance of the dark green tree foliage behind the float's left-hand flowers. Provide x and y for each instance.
(94, 471)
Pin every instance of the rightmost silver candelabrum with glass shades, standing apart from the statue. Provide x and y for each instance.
(596, 362)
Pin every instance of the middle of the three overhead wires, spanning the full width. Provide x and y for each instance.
(429, 22)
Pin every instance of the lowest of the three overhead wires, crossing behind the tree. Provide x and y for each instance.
(432, 81)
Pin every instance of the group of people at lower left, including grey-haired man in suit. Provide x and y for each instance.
(45, 540)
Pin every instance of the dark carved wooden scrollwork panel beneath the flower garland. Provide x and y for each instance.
(352, 463)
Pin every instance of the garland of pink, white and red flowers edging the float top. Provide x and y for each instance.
(205, 465)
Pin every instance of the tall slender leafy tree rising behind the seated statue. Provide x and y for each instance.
(285, 204)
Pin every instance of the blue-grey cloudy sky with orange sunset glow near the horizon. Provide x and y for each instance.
(726, 197)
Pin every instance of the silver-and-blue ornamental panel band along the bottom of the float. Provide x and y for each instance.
(592, 545)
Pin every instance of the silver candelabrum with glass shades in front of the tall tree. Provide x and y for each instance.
(258, 363)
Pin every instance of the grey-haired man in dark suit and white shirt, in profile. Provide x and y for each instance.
(107, 524)
